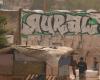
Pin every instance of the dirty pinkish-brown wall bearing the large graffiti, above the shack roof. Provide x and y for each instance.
(72, 29)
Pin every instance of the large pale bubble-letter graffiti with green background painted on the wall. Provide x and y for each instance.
(62, 23)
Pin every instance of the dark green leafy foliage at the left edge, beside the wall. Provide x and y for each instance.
(3, 41)
